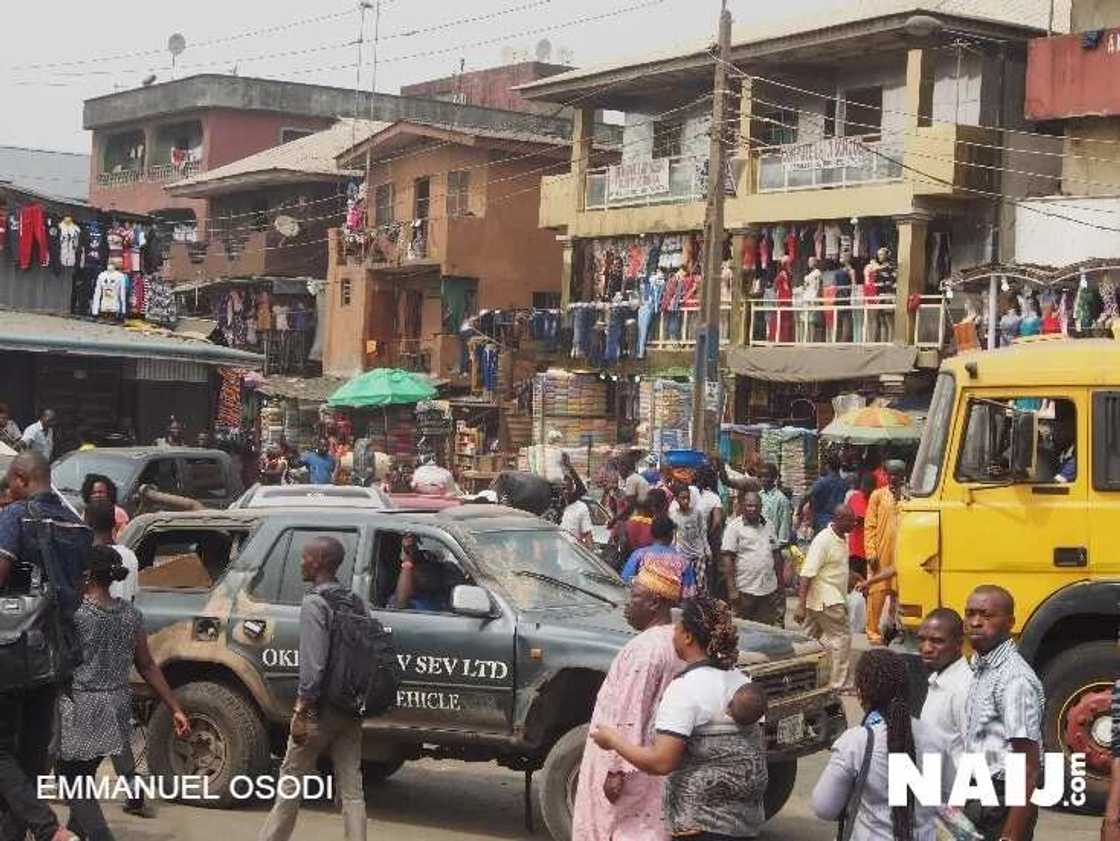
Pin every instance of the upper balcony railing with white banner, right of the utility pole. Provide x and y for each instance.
(829, 163)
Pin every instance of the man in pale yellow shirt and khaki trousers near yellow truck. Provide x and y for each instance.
(823, 595)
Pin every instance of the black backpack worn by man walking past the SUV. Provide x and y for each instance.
(363, 674)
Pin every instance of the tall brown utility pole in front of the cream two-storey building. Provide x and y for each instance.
(706, 365)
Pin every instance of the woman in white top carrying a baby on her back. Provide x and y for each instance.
(710, 739)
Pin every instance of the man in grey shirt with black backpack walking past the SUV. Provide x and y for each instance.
(347, 669)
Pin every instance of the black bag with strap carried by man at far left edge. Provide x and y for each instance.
(39, 641)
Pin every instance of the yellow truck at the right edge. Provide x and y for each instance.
(1018, 483)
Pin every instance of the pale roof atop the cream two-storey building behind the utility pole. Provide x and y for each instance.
(759, 27)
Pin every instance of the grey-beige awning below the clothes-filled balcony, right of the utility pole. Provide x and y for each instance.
(822, 363)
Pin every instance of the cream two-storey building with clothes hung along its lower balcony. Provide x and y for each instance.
(884, 127)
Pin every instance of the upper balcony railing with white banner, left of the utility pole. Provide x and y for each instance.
(660, 181)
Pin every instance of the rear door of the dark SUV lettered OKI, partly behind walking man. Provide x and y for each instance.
(265, 629)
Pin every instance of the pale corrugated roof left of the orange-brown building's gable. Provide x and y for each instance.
(312, 156)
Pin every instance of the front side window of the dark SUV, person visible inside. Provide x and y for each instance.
(441, 573)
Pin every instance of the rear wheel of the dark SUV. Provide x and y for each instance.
(227, 739)
